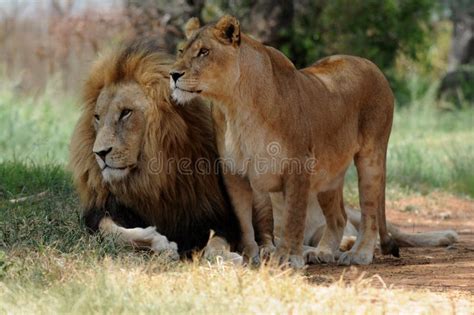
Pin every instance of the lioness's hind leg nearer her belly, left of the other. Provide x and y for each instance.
(332, 204)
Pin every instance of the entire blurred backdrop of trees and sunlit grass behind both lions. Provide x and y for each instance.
(425, 47)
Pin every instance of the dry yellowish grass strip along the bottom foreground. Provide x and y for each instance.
(141, 284)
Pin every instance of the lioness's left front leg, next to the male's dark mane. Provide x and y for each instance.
(241, 197)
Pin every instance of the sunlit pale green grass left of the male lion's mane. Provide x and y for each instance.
(36, 129)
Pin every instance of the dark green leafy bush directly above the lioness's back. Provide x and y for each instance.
(377, 30)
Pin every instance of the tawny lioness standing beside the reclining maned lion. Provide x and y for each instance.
(334, 112)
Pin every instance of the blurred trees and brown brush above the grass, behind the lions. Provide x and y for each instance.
(414, 41)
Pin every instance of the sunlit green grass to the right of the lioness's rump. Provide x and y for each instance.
(429, 149)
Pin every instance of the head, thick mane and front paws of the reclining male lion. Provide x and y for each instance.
(139, 161)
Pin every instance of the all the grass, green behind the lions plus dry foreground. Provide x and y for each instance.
(48, 264)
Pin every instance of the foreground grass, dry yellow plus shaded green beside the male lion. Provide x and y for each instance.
(48, 264)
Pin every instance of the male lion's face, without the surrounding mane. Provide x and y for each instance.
(119, 121)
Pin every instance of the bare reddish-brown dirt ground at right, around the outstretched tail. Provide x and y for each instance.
(443, 269)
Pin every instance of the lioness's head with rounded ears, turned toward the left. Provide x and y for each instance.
(207, 61)
